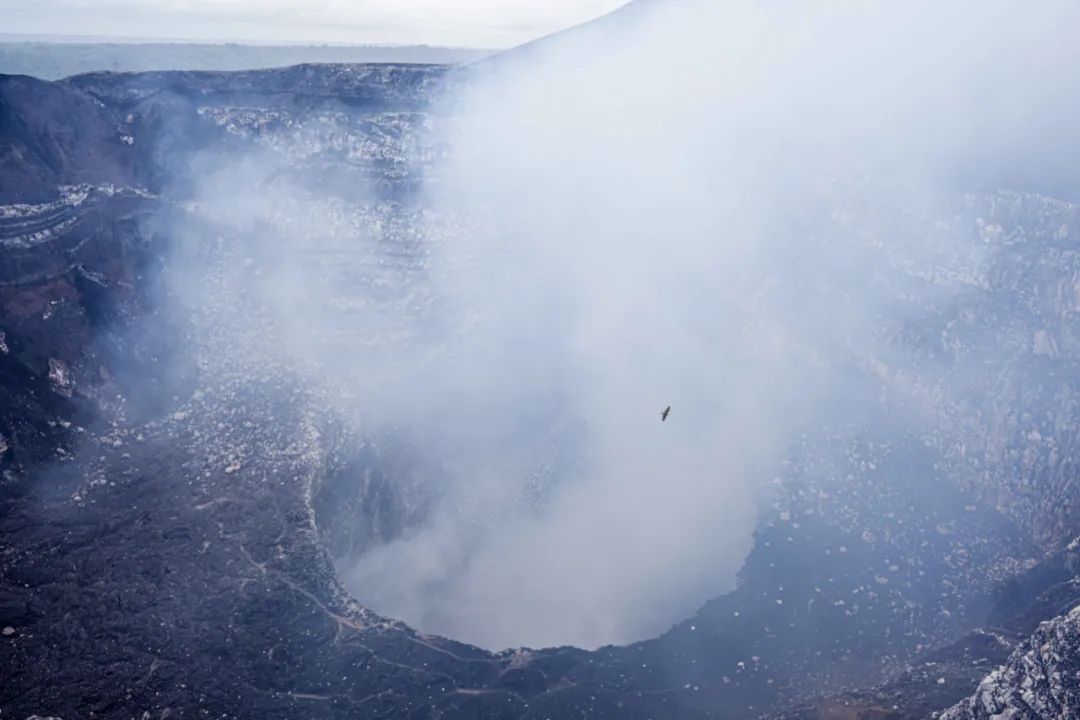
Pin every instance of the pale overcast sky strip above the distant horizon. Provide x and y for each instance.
(456, 23)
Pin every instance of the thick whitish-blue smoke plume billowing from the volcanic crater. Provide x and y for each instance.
(673, 208)
